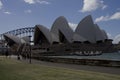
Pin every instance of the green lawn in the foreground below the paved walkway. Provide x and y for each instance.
(11, 69)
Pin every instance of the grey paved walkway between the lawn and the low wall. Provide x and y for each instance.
(109, 70)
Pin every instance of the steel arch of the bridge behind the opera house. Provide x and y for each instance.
(17, 32)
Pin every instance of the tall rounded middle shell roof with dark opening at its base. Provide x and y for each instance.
(61, 25)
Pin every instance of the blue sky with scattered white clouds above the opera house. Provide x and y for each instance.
(16, 14)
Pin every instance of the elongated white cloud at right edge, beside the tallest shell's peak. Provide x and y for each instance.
(115, 16)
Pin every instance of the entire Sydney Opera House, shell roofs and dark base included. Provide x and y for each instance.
(62, 40)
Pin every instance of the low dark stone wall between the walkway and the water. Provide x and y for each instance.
(92, 62)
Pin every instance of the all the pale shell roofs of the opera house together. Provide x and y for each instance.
(85, 31)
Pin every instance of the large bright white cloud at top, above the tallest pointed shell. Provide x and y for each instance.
(91, 5)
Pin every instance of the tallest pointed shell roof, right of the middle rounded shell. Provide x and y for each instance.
(86, 29)
